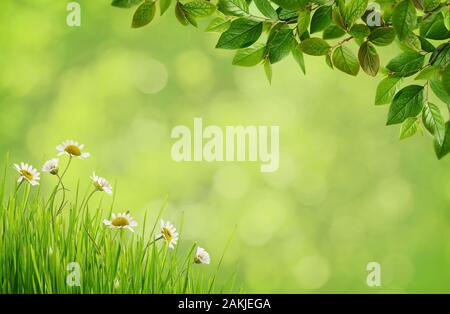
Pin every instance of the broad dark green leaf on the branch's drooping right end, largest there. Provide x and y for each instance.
(408, 102)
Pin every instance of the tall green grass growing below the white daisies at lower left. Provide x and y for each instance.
(38, 244)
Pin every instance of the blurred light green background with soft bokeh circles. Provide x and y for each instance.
(347, 192)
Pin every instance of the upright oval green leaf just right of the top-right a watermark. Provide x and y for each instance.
(404, 18)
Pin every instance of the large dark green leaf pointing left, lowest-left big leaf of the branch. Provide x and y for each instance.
(241, 34)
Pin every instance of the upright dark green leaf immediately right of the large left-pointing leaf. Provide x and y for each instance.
(279, 44)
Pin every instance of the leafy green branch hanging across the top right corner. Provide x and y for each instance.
(263, 32)
